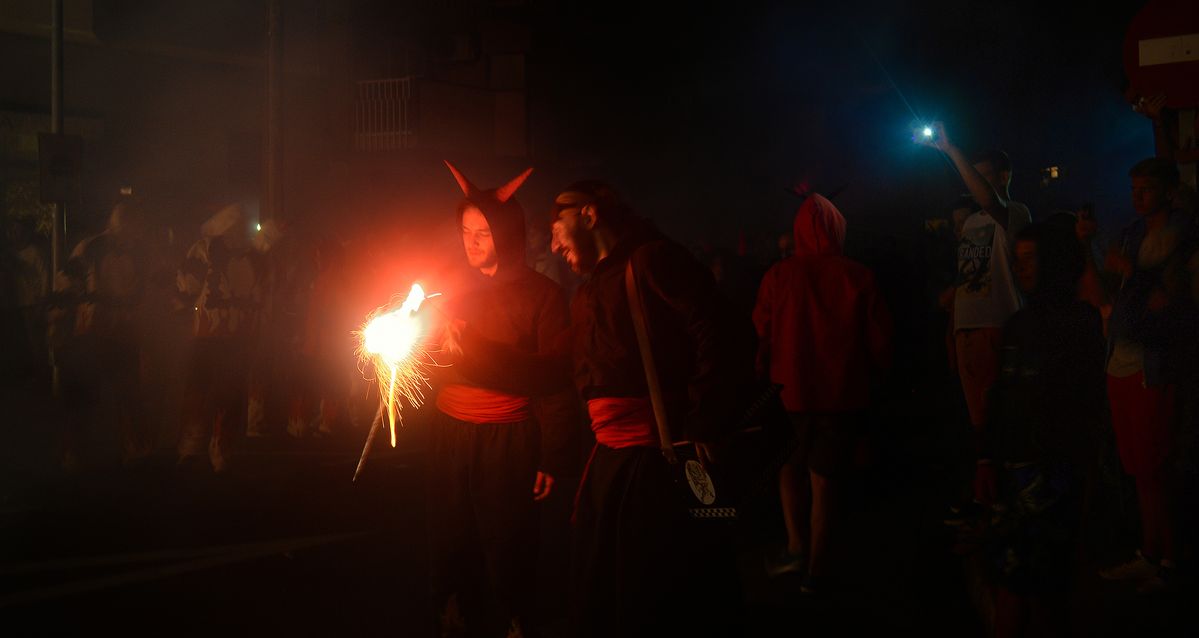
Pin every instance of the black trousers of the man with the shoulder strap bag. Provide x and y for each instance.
(642, 567)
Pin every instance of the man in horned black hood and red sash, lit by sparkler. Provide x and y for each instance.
(496, 450)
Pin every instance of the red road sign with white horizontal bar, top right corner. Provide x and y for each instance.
(1161, 52)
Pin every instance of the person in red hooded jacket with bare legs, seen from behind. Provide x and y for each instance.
(824, 335)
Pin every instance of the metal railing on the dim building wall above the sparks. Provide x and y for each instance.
(383, 116)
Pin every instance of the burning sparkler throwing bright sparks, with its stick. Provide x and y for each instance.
(391, 344)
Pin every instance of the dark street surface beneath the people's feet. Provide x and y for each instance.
(286, 544)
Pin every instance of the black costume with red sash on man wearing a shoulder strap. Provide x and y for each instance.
(642, 569)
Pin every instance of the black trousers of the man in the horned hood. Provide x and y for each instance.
(484, 523)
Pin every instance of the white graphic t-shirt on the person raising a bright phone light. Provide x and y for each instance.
(986, 294)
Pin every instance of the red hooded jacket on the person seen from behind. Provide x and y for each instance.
(824, 330)
